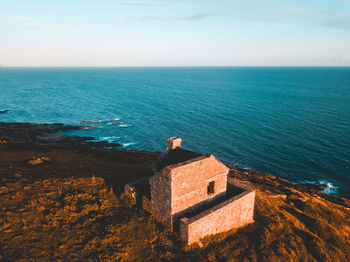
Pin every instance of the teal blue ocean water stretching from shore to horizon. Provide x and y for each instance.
(291, 122)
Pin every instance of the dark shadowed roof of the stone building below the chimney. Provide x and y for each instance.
(172, 157)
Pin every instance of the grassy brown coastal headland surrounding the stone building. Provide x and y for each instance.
(61, 200)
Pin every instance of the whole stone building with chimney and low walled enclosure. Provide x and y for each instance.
(192, 194)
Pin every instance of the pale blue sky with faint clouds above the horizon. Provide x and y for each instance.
(175, 33)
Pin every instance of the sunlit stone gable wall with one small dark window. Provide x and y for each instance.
(189, 182)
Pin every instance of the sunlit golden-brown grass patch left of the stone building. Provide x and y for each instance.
(72, 219)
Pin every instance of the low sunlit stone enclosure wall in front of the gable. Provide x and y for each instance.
(233, 213)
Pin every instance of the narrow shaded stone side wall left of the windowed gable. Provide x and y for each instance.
(161, 195)
